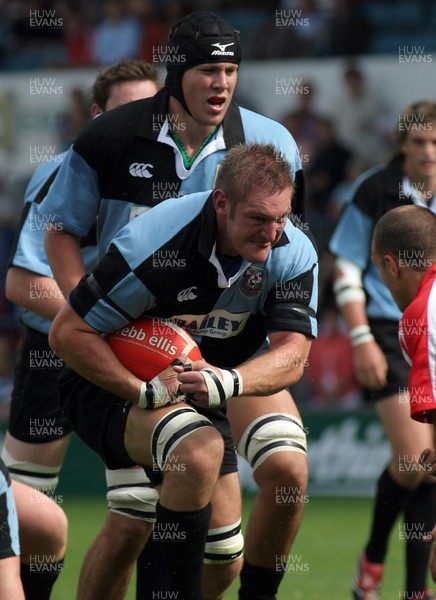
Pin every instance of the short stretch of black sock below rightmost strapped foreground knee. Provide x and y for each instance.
(259, 583)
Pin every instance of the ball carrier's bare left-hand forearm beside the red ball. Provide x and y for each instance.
(84, 350)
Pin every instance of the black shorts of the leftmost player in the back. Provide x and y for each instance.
(35, 415)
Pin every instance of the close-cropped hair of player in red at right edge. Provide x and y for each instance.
(407, 231)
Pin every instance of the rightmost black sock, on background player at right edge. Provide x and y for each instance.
(419, 519)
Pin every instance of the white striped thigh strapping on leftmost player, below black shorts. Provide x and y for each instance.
(42, 478)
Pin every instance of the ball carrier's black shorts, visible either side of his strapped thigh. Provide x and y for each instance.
(99, 419)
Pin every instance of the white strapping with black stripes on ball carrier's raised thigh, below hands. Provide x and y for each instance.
(173, 429)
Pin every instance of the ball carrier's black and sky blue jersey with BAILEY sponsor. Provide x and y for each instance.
(176, 274)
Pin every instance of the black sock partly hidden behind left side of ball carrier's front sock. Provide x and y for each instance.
(151, 571)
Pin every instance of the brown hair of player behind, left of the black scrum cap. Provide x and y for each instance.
(125, 70)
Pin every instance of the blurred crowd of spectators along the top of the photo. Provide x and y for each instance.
(98, 33)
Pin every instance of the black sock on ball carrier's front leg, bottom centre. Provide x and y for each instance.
(182, 536)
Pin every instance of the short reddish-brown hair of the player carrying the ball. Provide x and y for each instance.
(249, 166)
